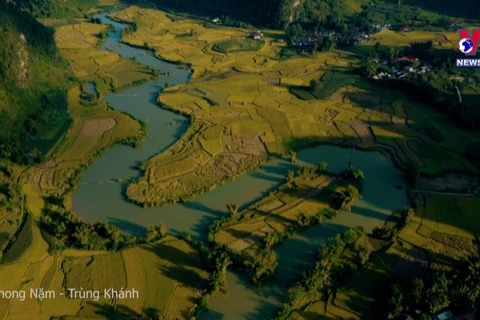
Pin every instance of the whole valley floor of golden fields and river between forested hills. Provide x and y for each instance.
(198, 161)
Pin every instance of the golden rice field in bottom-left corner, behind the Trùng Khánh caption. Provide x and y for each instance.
(165, 291)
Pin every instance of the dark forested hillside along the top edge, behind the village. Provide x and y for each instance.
(278, 13)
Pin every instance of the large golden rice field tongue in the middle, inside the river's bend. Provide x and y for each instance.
(253, 96)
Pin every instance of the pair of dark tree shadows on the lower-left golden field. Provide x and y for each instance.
(182, 262)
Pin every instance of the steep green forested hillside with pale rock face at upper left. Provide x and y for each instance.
(33, 80)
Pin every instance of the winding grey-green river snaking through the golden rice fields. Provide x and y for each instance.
(99, 197)
